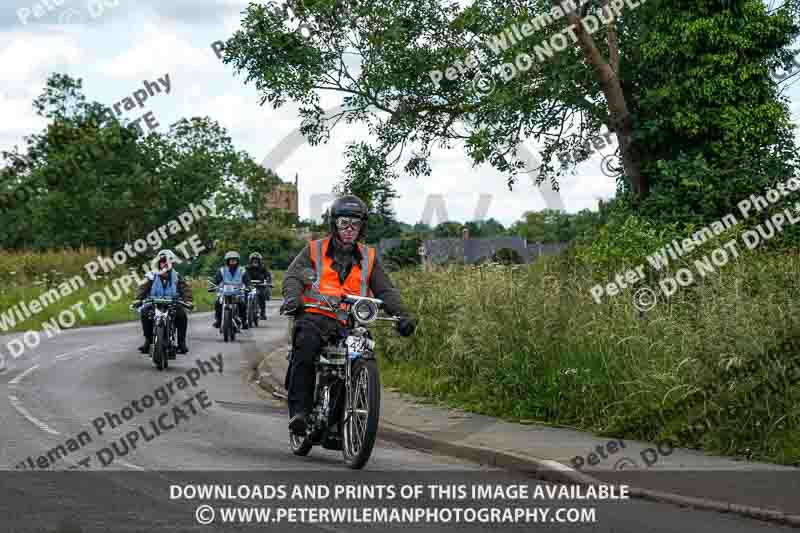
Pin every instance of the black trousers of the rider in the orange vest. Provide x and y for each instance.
(311, 331)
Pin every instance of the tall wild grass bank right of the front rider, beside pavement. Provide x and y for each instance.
(715, 367)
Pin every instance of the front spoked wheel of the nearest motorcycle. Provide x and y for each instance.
(361, 414)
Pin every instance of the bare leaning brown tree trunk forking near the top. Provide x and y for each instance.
(620, 120)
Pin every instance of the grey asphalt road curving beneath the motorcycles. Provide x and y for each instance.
(60, 392)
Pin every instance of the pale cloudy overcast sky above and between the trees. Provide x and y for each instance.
(136, 40)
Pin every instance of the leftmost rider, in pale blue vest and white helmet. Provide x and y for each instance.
(165, 283)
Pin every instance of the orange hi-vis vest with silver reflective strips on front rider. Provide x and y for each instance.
(357, 282)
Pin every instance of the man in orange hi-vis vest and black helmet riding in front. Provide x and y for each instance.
(341, 271)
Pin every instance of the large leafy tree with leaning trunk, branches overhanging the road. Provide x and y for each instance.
(564, 99)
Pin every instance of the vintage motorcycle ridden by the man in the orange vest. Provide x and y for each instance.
(347, 393)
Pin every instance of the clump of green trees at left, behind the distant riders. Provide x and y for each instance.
(91, 181)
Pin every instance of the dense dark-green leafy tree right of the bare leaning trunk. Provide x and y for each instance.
(722, 132)
